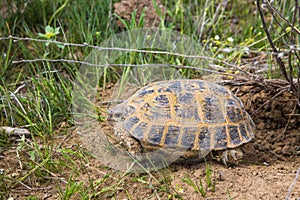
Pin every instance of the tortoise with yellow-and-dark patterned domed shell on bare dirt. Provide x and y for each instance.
(189, 114)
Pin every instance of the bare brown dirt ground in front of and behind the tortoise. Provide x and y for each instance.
(267, 171)
